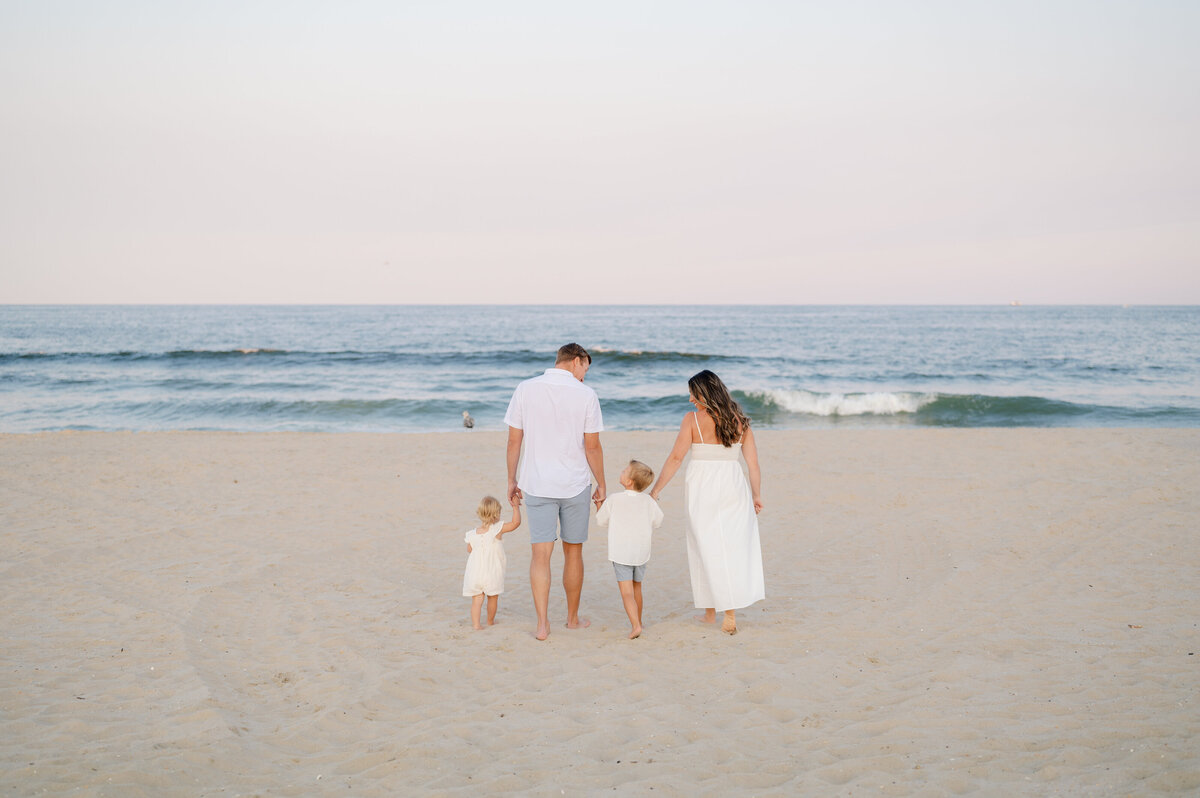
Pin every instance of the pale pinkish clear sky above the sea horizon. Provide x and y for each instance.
(808, 153)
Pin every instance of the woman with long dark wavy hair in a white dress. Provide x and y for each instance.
(723, 527)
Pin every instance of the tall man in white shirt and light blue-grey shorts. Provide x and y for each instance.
(559, 421)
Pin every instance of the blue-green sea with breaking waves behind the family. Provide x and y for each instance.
(418, 368)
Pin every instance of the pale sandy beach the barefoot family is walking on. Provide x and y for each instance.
(950, 611)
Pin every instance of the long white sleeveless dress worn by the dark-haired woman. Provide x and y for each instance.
(724, 556)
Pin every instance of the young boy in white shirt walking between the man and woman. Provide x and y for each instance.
(632, 517)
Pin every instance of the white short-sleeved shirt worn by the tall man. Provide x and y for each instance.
(555, 411)
